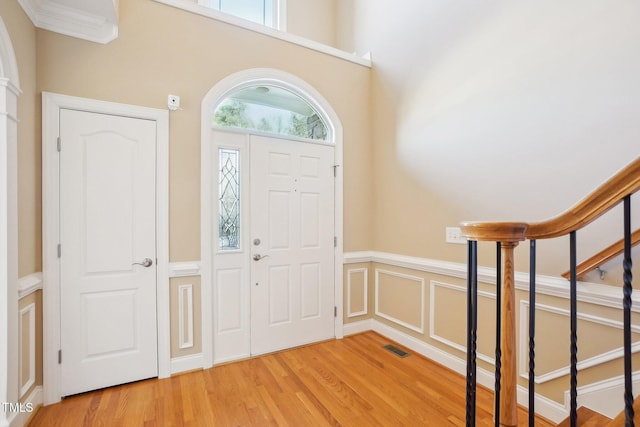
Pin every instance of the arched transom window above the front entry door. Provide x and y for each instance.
(272, 109)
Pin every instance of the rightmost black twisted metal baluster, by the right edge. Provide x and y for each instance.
(627, 289)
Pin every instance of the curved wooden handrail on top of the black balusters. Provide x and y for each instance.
(625, 182)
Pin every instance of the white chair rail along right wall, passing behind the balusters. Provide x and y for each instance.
(593, 293)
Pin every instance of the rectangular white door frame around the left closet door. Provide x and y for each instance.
(51, 105)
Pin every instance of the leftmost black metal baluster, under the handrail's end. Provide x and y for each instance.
(472, 327)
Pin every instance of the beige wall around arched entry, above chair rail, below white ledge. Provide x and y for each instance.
(147, 62)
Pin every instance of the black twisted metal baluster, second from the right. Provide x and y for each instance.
(574, 328)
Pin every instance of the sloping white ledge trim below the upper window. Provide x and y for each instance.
(199, 9)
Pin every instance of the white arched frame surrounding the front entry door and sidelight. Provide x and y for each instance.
(232, 83)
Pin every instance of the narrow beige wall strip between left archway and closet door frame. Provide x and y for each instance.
(23, 38)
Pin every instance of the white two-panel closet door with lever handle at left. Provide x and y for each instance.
(107, 250)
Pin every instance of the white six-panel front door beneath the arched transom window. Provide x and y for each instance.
(292, 241)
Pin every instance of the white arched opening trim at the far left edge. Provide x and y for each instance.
(9, 92)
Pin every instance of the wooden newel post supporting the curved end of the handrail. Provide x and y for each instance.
(509, 378)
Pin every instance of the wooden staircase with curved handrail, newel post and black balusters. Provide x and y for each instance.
(616, 191)
